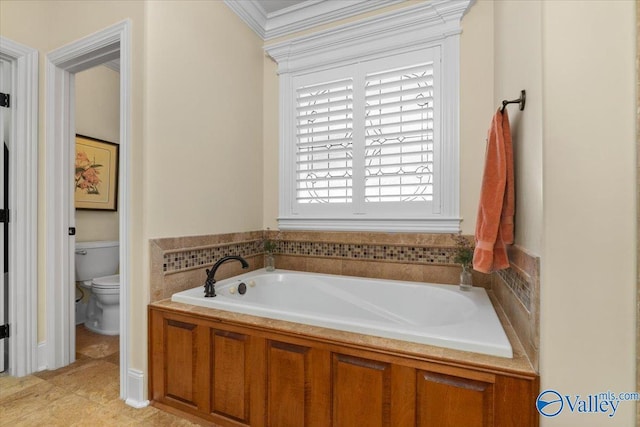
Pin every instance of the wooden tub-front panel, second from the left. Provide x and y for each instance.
(230, 379)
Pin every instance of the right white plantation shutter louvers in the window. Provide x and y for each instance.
(399, 135)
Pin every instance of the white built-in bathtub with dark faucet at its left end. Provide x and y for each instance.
(440, 315)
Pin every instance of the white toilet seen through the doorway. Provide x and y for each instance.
(96, 265)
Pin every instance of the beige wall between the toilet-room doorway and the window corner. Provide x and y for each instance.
(204, 121)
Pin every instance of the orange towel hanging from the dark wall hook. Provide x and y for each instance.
(494, 226)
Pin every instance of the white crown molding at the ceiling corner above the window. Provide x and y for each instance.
(301, 16)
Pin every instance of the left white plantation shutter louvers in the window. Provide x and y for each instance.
(324, 142)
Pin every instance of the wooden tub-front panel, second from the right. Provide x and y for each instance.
(361, 392)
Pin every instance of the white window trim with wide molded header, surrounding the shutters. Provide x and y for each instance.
(427, 25)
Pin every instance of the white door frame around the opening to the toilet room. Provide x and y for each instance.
(61, 65)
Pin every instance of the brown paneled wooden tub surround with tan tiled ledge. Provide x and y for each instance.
(229, 369)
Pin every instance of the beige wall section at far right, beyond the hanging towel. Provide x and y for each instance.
(589, 214)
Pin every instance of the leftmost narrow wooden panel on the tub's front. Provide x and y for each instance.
(181, 356)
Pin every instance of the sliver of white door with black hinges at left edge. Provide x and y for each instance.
(5, 113)
